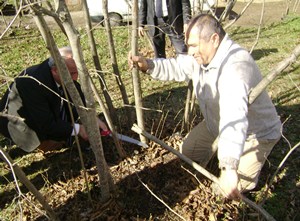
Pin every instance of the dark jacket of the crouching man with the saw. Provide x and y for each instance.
(40, 107)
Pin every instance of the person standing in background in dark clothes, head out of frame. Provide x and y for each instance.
(165, 17)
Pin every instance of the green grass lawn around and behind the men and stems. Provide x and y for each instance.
(26, 47)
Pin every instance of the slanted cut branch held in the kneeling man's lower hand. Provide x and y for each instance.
(200, 169)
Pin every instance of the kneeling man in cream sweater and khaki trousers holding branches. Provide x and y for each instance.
(223, 75)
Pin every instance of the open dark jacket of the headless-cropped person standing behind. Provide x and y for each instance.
(179, 13)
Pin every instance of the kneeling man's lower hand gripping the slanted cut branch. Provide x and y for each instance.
(228, 183)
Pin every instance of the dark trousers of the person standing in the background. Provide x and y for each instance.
(159, 39)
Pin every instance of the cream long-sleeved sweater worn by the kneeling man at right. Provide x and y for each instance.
(222, 90)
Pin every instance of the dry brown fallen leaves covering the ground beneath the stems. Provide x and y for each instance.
(174, 192)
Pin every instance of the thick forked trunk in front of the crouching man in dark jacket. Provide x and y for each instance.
(87, 115)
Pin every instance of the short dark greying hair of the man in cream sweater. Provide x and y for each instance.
(207, 25)
